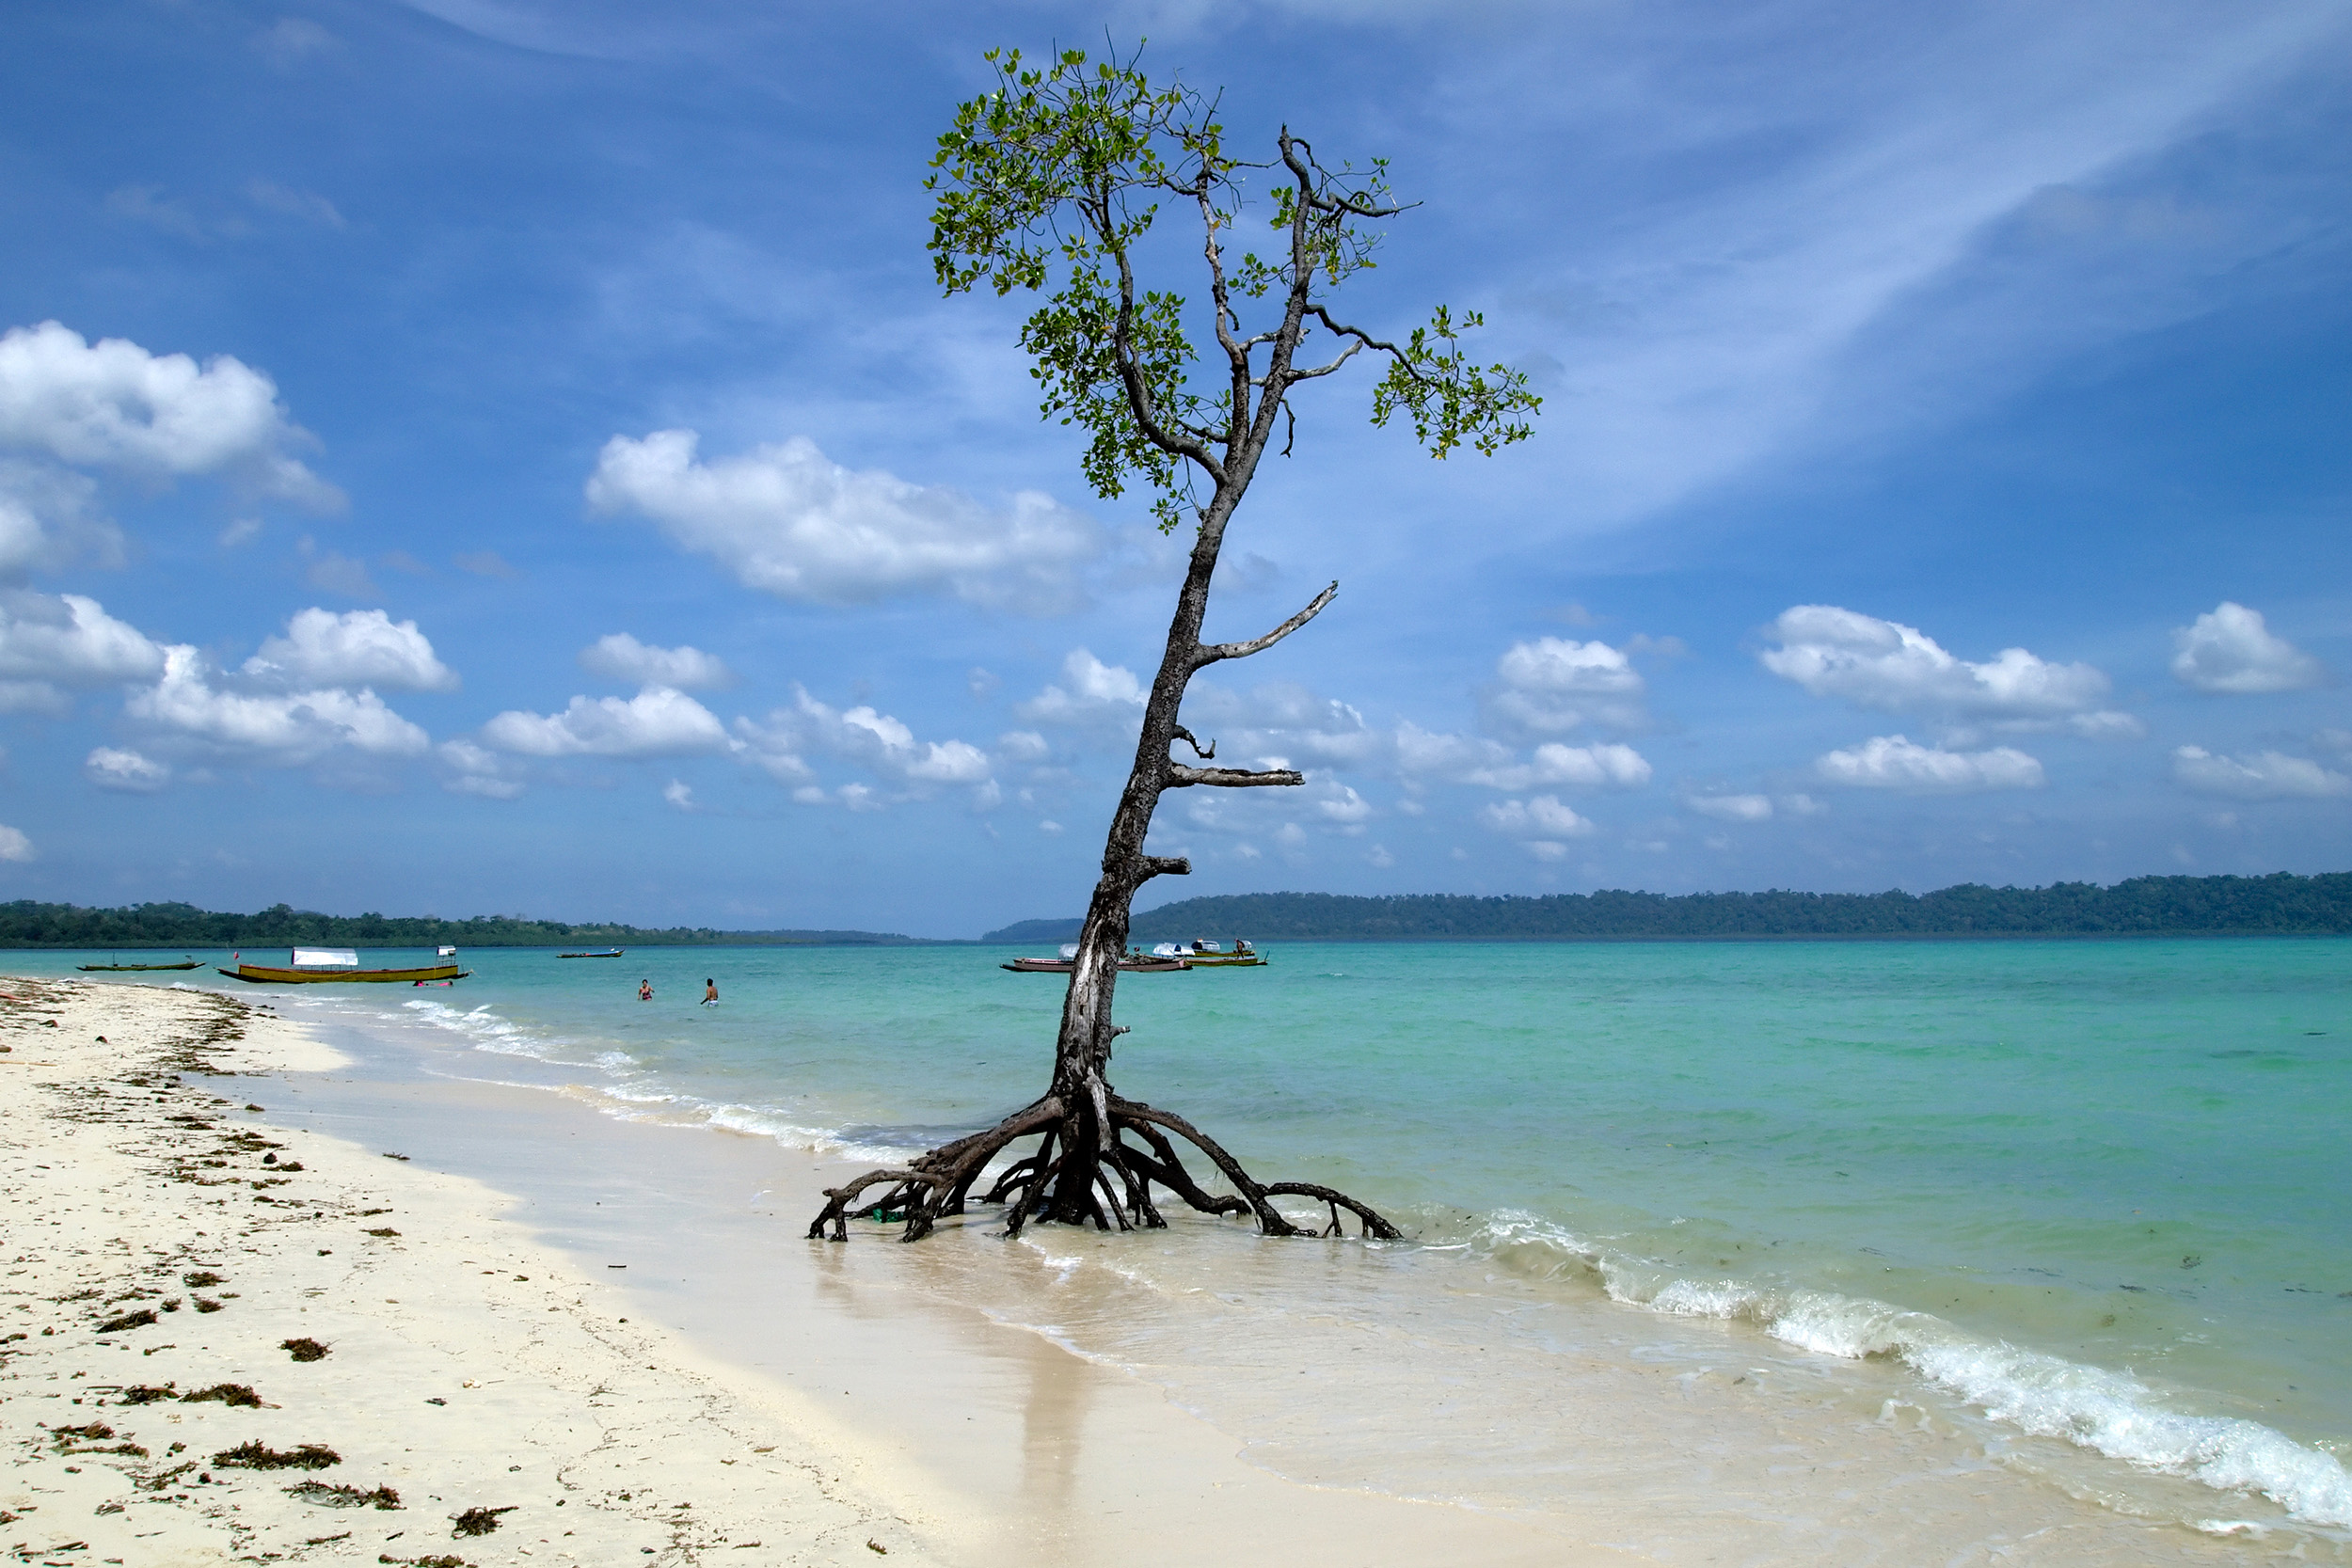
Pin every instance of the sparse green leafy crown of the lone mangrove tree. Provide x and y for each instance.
(1053, 185)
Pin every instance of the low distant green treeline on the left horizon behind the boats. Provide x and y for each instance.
(180, 925)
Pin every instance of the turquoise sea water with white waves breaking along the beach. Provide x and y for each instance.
(2085, 1195)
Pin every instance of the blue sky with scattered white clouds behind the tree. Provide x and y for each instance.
(505, 457)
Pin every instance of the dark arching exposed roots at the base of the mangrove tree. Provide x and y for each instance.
(1104, 1181)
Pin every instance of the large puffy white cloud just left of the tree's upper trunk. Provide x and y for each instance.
(789, 521)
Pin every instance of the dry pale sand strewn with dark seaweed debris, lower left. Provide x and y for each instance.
(232, 1343)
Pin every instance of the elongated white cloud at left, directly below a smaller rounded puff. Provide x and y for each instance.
(279, 728)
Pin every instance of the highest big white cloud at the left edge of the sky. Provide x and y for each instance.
(116, 406)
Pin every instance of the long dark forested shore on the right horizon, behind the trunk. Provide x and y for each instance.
(2144, 906)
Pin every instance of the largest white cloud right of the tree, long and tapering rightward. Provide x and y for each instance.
(1899, 669)
